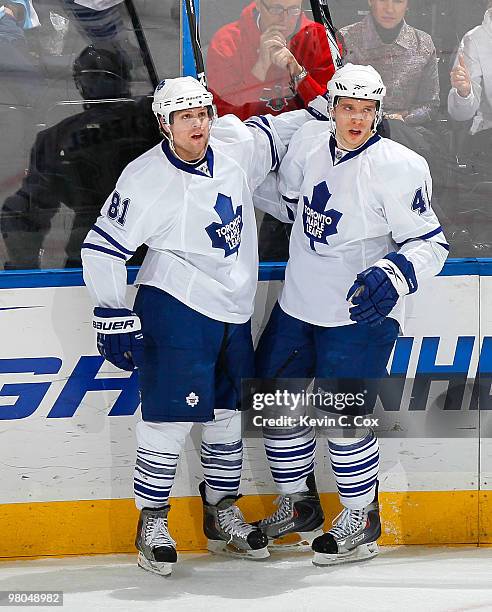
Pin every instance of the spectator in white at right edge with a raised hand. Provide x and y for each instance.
(471, 95)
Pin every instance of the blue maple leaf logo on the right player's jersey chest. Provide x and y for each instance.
(318, 222)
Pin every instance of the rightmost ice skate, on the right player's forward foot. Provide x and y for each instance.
(352, 537)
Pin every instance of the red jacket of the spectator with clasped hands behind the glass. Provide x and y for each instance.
(232, 53)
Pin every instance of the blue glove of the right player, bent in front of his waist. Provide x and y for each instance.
(377, 289)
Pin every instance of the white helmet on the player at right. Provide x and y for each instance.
(355, 81)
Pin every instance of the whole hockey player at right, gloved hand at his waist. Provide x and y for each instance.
(362, 210)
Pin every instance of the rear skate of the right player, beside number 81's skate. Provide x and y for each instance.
(297, 520)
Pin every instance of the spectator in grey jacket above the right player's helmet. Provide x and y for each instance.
(404, 56)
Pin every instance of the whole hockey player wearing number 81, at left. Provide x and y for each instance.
(189, 199)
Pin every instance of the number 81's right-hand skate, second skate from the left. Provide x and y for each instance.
(228, 533)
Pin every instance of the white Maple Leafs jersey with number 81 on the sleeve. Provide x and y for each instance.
(197, 220)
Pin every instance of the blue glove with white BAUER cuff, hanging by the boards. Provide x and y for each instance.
(119, 339)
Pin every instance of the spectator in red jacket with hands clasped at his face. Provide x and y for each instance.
(271, 60)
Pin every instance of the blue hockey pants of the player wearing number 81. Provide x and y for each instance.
(191, 364)
